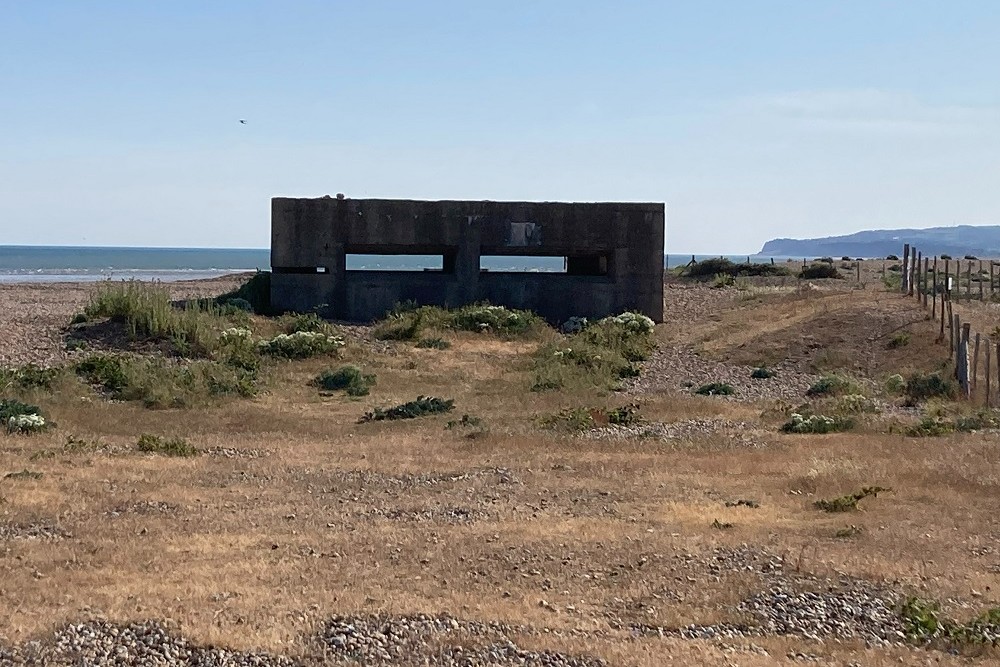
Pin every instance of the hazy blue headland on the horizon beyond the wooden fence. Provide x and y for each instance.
(955, 241)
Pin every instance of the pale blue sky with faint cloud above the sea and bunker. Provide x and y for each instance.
(750, 119)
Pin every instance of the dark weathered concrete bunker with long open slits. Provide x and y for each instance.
(623, 243)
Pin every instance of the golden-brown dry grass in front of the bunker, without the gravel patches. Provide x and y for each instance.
(331, 516)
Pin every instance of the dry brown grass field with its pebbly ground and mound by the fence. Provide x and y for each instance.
(626, 545)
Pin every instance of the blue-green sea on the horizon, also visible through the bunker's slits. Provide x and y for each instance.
(45, 264)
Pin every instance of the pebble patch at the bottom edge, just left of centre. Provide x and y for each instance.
(427, 640)
